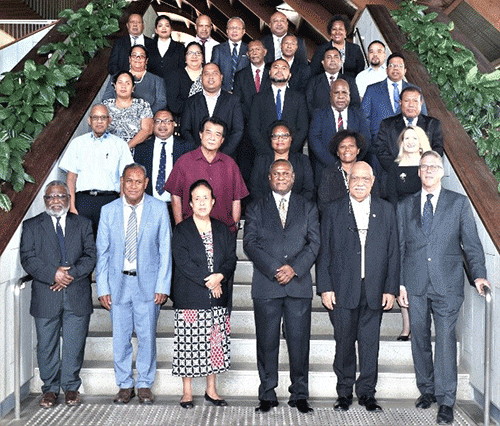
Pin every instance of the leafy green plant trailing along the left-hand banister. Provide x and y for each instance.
(29, 97)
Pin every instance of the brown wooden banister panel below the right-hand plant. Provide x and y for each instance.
(478, 181)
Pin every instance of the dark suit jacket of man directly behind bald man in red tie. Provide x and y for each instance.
(318, 92)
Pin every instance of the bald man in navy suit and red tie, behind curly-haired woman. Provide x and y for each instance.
(326, 122)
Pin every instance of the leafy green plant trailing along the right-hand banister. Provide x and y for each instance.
(472, 96)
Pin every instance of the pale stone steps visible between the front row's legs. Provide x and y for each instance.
(396, 375)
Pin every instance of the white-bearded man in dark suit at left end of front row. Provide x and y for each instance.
(58, 251)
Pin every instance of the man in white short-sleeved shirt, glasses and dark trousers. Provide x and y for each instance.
(94, 162)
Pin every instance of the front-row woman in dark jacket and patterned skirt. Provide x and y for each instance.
(205, 259)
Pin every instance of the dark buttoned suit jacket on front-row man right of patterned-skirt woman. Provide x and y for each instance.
(270, 246)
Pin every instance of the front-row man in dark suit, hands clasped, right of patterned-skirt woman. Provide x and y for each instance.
(282, 240)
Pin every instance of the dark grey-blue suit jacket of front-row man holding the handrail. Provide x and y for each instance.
(438, 256)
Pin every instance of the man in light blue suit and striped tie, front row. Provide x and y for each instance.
(133, 278)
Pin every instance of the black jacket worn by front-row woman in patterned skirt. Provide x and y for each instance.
(188, 289)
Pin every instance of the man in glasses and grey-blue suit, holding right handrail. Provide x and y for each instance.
(436, 227)
